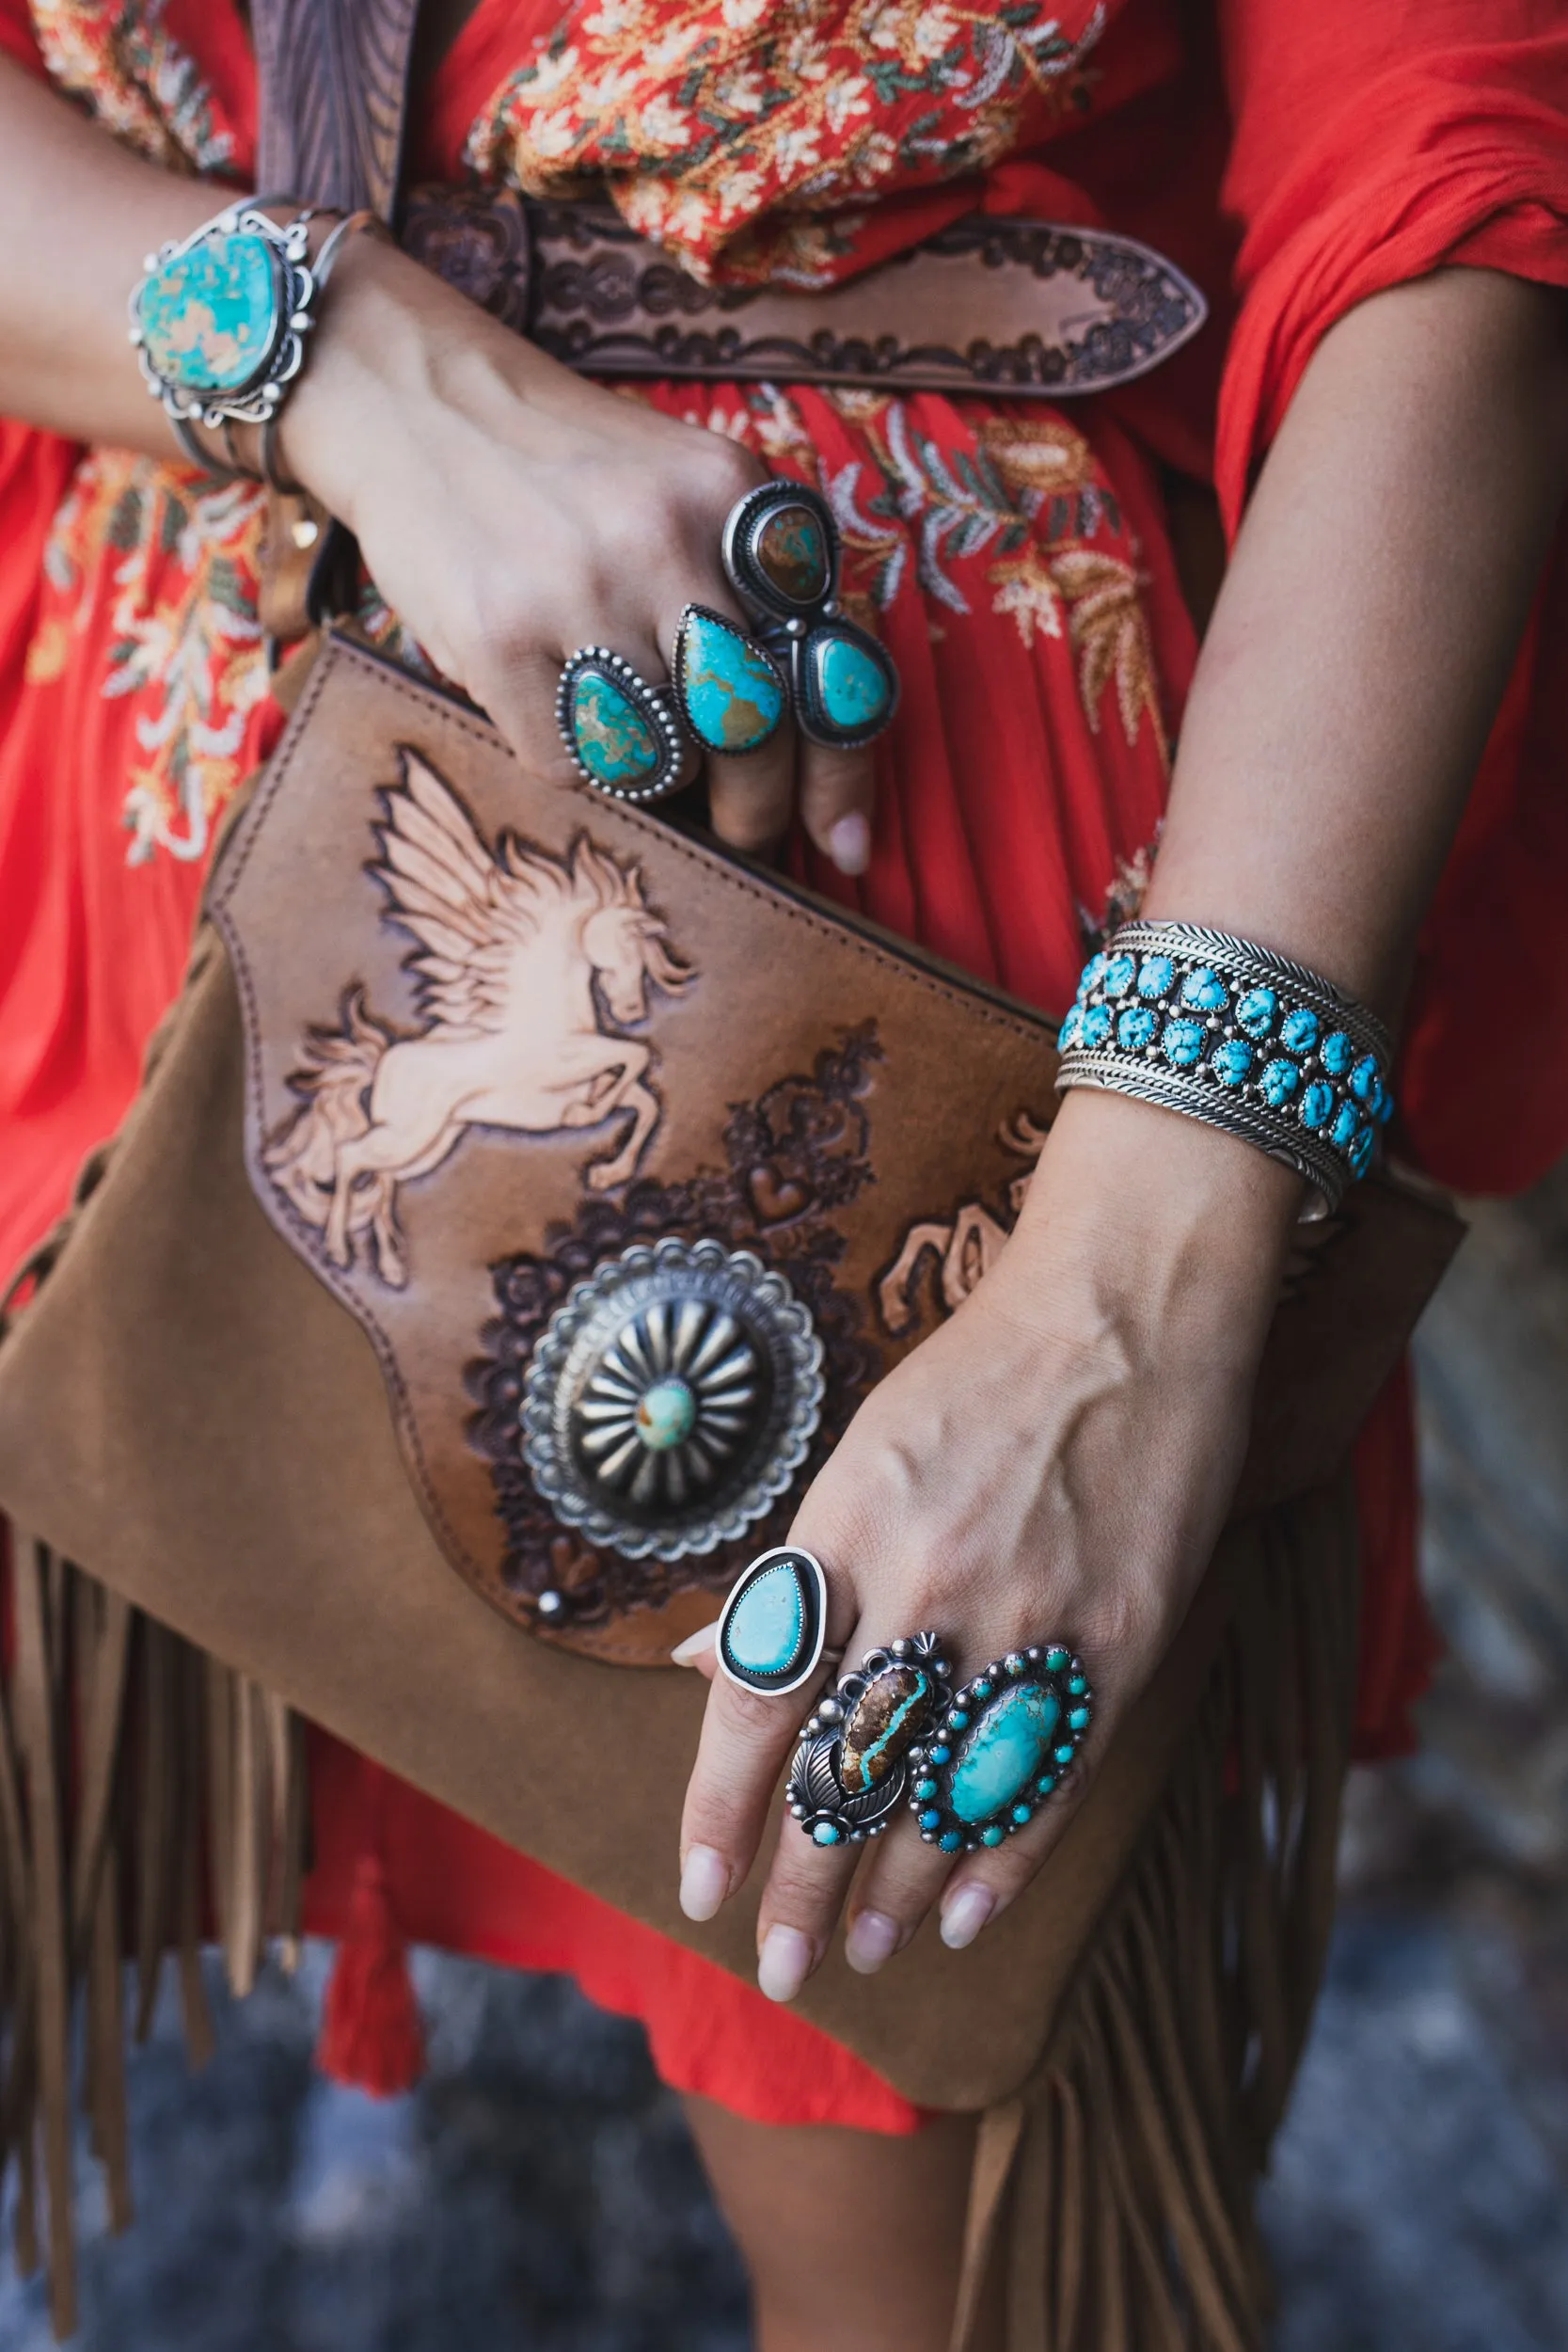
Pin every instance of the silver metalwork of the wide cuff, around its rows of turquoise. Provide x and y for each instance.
(1195, 1093)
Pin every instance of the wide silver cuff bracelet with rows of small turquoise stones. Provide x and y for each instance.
(1240, 1038)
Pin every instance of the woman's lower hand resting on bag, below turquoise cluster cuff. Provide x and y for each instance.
(1052, 1464)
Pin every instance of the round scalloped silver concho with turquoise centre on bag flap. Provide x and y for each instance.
(671, 1398)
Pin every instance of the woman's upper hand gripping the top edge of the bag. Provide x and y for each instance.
(514, 512)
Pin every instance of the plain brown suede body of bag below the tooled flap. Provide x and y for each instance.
(189, 1412)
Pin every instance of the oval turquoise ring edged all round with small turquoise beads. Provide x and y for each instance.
(1000, 1749)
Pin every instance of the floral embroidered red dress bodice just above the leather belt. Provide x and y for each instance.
(709, 119)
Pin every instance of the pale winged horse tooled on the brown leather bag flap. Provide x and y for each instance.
(516, 961)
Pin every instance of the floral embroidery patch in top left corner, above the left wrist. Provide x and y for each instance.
(140, 83)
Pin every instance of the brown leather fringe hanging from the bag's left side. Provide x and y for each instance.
(149, 1798)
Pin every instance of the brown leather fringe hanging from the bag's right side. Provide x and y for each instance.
(1113, 2196)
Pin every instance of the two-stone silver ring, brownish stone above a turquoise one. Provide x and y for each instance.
(782, 556)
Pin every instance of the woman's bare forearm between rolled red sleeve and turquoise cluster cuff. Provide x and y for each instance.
(1367, 627)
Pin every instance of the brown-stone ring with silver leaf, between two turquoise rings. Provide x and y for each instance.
(852, 1768)
